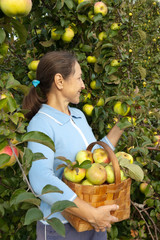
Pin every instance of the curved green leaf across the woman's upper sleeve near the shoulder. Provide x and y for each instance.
(39, 137)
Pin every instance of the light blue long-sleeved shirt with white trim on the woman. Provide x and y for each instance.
(70, 135)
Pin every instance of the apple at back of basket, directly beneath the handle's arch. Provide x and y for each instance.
(100, 155)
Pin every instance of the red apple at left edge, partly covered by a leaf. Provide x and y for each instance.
(7, 150)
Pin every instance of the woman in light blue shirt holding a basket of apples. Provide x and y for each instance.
(60, 83)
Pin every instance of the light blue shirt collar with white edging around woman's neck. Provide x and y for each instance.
(58, 116)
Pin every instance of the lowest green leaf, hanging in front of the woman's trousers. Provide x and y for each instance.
(57, 225)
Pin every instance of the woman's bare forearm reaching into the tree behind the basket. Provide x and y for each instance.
(114, 135)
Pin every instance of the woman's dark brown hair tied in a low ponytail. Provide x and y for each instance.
(51, 63)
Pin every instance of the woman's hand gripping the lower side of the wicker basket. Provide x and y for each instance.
(103, 218)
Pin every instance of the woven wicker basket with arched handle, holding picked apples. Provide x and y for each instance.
(105, 194)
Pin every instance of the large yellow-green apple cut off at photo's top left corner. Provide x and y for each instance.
(14, 8)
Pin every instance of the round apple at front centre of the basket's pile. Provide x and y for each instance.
(96, 174)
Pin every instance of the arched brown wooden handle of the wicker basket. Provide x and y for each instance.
(112, 157)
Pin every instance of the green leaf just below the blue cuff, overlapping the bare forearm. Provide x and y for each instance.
(60, 206)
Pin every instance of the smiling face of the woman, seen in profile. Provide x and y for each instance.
(73, 85)
